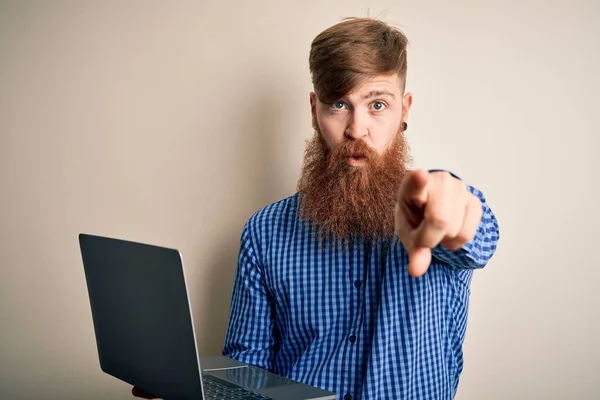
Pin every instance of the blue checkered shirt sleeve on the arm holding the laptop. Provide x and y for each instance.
(250, 333)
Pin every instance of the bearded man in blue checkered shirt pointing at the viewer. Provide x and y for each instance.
(359, 283)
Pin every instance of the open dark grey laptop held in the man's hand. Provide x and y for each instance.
(145, 335)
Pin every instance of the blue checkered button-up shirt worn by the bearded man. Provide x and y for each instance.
(352, 321)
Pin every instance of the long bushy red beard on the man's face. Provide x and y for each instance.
(344, 203)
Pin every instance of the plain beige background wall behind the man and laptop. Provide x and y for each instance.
(171, 122)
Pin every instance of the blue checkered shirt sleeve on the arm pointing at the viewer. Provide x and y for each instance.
(477, 252)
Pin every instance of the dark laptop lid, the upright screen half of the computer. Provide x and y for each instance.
(144, 339)
